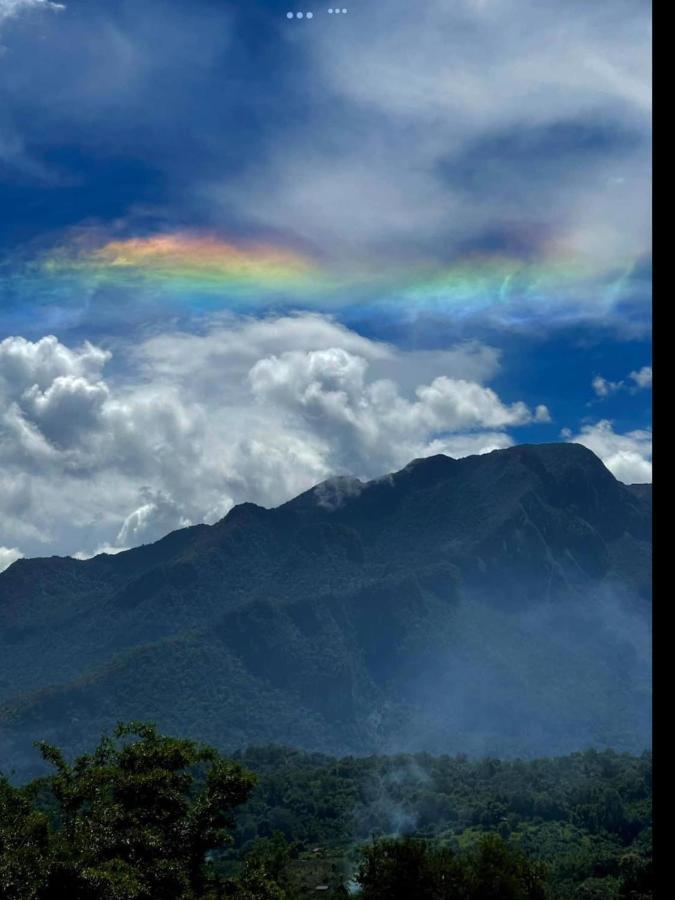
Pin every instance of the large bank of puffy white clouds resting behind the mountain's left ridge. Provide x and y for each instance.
(93, 461)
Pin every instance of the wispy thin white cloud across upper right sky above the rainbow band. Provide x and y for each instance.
(428, 130)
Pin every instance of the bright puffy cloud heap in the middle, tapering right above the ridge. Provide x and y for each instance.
(328, 392)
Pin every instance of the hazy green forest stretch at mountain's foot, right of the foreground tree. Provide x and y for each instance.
(587, 816)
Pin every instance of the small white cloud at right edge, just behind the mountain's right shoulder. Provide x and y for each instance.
(627, 456)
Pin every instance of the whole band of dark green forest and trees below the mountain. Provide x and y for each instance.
(146, 816)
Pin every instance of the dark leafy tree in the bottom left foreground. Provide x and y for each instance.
(131, 821)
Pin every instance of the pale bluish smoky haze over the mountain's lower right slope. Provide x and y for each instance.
(545, 679)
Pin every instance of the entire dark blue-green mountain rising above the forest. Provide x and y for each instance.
(494, 604)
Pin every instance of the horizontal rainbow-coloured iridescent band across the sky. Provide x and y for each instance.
(194, 272)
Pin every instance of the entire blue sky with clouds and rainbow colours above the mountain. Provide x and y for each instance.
(243, 250)
